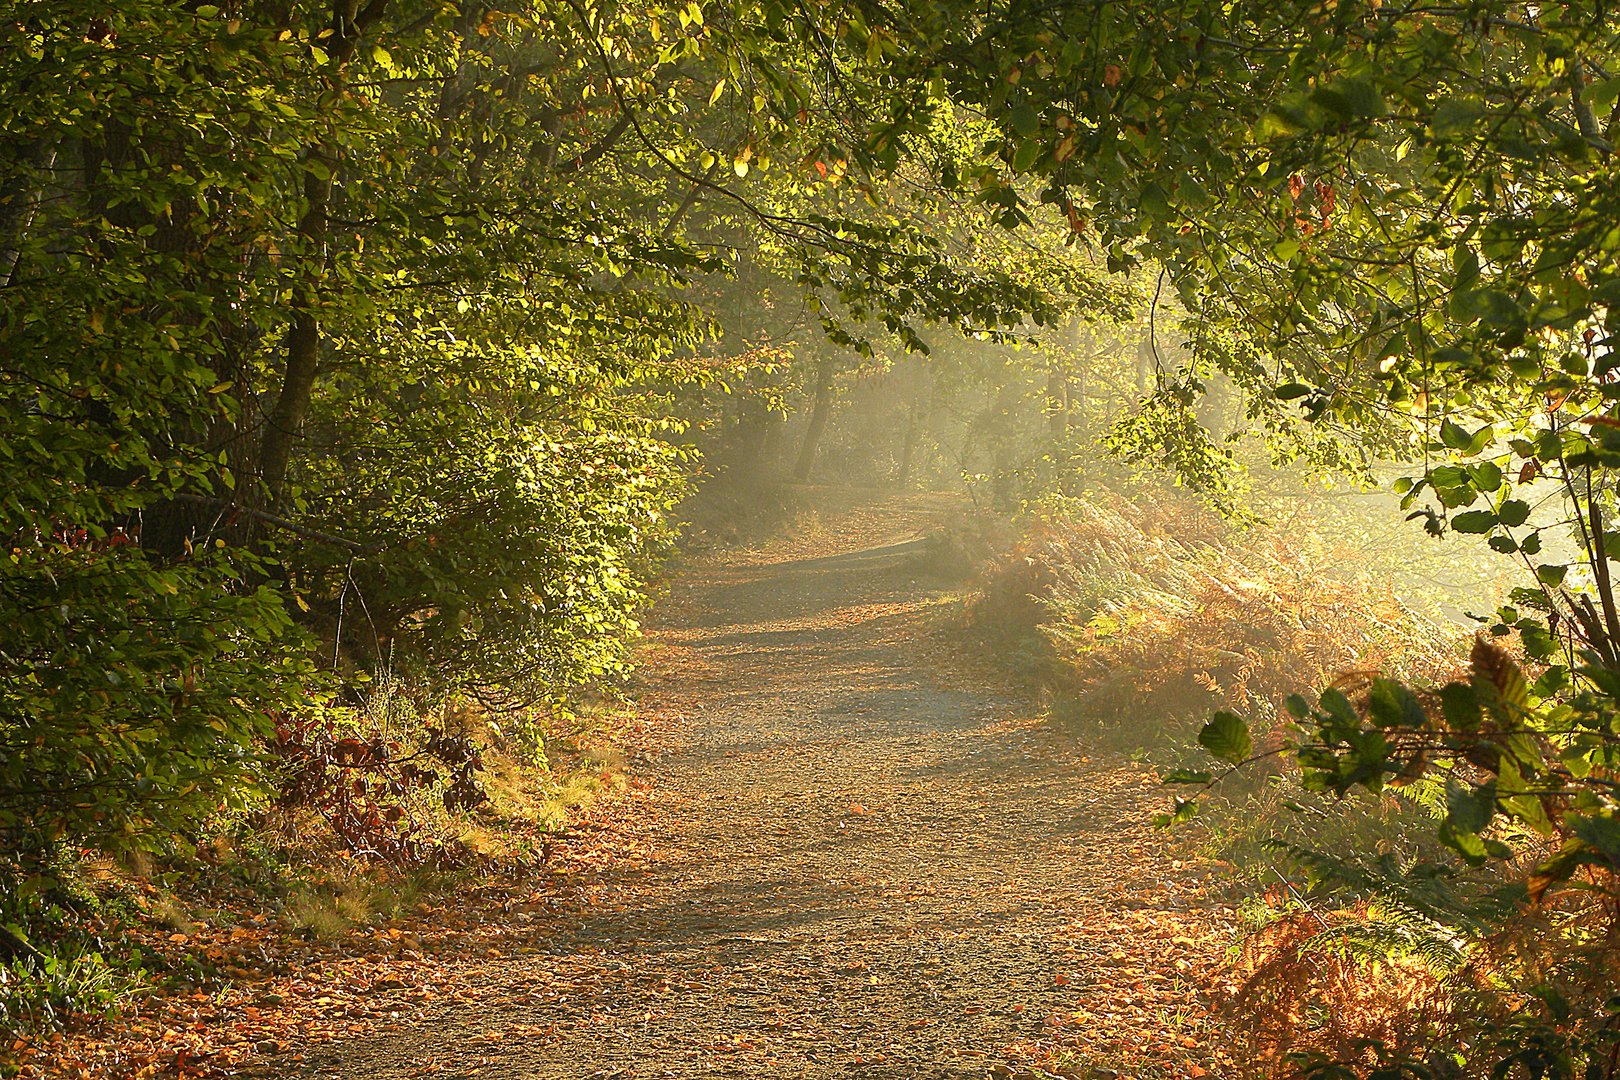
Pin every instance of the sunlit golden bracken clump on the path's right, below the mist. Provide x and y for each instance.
(1161, 610)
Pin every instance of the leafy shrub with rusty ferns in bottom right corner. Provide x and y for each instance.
(1512, 921)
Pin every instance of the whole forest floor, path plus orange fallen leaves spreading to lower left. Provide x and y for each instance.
(843, 846)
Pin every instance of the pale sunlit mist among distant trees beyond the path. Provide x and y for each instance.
(1015, 428)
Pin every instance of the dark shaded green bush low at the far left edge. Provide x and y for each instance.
(135, 695)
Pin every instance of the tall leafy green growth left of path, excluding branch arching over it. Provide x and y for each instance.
(236, 432)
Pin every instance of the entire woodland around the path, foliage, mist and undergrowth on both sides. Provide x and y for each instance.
(357, 357)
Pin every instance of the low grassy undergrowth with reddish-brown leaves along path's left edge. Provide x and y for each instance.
(399, 801)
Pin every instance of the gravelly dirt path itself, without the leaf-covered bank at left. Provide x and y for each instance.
(861, 869)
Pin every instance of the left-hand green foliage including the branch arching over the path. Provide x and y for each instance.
(347, 338)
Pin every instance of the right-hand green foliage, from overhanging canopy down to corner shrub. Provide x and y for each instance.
(1404, 218)
